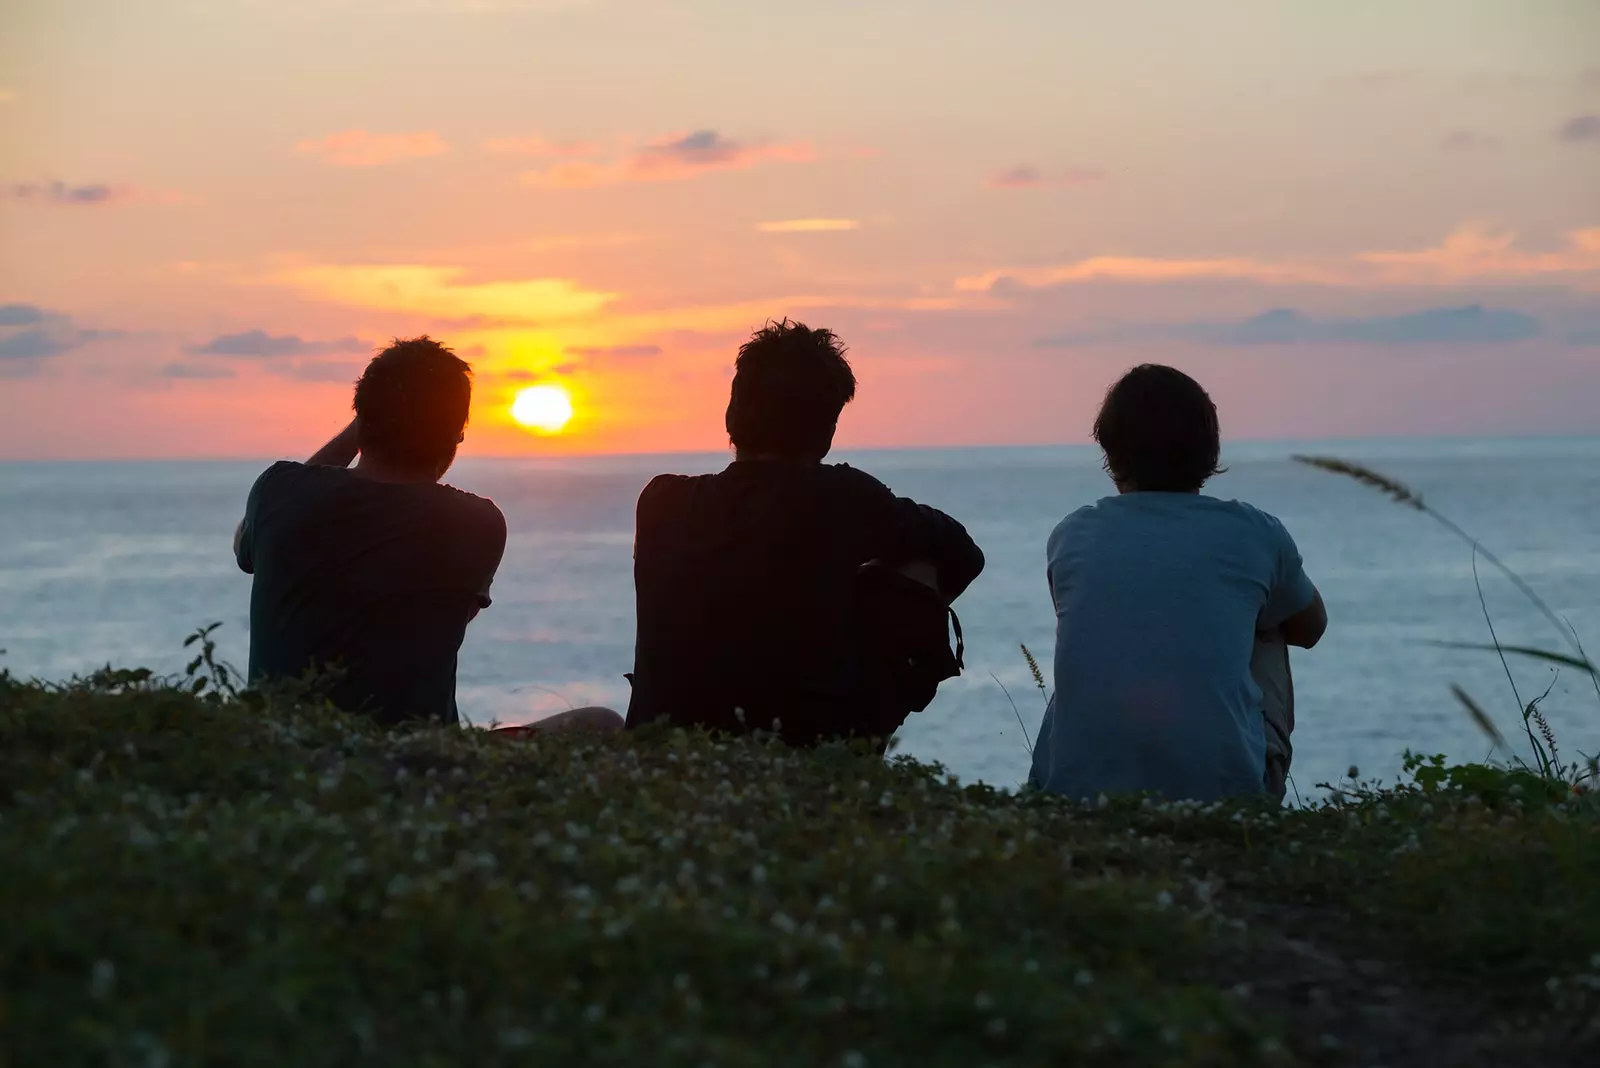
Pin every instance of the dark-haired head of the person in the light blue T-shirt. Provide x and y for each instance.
(1159, 431)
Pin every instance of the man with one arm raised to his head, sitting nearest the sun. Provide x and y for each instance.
(375, 572)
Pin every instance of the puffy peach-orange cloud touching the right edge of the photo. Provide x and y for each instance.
(1481, 253)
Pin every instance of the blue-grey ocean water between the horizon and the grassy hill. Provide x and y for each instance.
(119, 562)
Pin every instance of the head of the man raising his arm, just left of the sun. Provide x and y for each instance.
(412, 405)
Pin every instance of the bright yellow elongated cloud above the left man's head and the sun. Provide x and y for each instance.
(446, 293)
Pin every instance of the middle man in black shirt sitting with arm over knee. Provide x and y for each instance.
(748, 581)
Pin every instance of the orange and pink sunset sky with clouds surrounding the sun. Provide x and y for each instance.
(1348, 220)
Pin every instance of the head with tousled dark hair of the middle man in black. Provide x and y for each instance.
(790, 386)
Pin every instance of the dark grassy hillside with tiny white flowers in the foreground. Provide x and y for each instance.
(246, 882)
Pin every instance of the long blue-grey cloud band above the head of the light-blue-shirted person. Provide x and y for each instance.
(1471, 325)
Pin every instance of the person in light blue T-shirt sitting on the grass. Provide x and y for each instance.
(1174, 615)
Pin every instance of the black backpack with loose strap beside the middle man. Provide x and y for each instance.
(906, 631)
